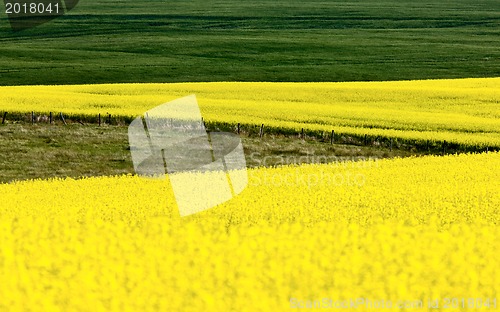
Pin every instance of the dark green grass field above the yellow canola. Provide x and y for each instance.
(171, 41)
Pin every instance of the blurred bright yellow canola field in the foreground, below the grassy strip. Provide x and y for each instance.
(402, 230)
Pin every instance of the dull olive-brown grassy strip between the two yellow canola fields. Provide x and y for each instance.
(47, 151)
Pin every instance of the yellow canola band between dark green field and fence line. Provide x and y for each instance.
(464, 111)
